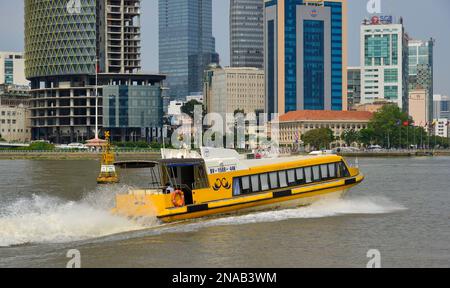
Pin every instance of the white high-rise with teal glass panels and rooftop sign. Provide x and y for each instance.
(384, 61)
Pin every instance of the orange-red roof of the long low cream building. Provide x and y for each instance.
(313, 115)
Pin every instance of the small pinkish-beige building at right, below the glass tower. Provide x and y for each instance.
(418, 107)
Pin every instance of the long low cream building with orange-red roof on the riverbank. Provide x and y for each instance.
(295, 124)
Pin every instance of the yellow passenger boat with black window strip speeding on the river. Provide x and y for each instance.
(189, 185)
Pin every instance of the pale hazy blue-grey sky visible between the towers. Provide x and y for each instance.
(423, 19)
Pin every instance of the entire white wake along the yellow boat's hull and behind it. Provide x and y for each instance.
(42, 219)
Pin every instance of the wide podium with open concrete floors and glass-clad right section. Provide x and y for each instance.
(63, 109)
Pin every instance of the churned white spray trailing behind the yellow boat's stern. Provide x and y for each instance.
(42, 219)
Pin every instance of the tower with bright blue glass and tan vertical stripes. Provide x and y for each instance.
(305, 55)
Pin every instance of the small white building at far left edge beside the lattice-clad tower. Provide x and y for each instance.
(12, 69)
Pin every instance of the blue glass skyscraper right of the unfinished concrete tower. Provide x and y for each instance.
(186, 44)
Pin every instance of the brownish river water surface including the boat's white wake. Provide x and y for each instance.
(402, 210)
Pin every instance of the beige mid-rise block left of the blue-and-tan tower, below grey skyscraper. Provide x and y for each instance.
(229, 89)
